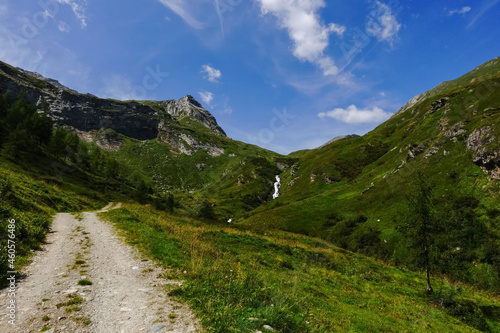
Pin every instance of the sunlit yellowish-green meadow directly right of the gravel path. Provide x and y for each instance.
(239, 280)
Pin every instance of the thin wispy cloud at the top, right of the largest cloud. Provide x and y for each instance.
(382, 23)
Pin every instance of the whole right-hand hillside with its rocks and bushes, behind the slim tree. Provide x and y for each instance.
(354, 192)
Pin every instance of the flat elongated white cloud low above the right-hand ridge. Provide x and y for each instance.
(353, 115)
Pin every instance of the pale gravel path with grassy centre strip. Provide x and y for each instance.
(86, 279)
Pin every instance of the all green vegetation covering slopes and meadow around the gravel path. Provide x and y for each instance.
(419, 193)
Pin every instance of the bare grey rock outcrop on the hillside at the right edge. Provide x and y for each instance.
(486, 158)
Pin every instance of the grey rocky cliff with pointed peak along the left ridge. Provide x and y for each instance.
(88, 115)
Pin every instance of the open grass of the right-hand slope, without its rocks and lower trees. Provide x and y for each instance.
(356, 163)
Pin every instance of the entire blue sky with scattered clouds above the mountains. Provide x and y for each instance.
(283, 74)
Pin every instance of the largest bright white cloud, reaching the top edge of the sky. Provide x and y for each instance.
(309, 34)
